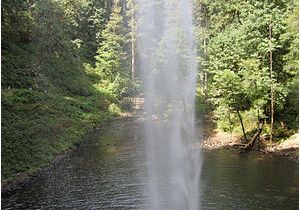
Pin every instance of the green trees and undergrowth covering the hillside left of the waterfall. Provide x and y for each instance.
(64, 70)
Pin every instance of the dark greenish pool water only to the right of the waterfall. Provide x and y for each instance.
(247, 181)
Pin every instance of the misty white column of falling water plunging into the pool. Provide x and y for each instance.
(167, 62)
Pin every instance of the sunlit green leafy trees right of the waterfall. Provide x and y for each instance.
(248, 56)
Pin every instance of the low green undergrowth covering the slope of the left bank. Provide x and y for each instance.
(37, 126)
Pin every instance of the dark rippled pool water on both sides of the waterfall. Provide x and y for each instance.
(108, 172)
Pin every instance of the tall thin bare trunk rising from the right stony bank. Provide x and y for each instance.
(272, 88)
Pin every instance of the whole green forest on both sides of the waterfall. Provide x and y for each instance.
(68, 66)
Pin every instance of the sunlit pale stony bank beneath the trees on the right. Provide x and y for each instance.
(213, 139)
